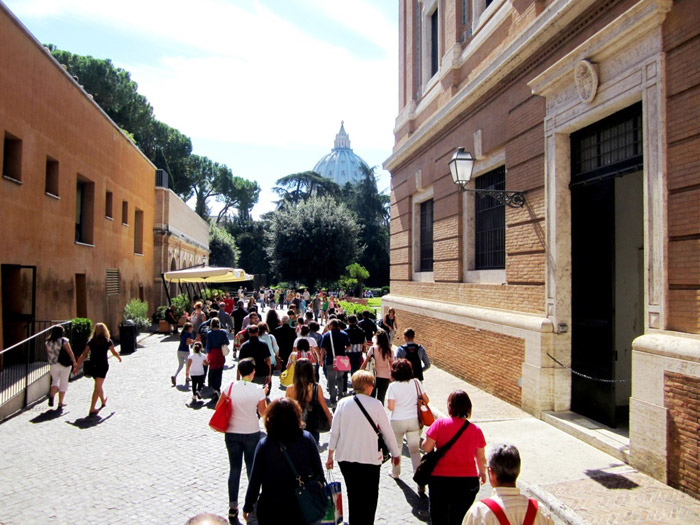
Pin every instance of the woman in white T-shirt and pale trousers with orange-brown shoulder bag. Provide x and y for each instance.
(402, 402)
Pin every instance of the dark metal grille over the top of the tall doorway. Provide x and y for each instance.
(610, 146)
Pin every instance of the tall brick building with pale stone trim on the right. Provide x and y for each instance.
(591, 108)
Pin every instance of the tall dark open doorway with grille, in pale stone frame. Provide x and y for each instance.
(607, 245)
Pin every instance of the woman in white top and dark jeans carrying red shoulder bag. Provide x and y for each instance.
(243, 432)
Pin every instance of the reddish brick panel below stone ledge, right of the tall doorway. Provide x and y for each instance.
(681, 395)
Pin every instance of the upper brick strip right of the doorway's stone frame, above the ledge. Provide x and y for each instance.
(682, 47)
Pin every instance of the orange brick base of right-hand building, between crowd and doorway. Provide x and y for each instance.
(488, 360)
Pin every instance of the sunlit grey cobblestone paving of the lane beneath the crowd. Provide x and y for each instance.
(148, 458)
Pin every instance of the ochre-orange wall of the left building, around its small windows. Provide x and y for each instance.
(53, 116)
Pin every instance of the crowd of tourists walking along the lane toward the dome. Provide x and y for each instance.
(373, 402)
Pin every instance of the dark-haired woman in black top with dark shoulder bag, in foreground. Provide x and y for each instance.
(285, 450)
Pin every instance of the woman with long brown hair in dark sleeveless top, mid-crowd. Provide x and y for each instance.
(307, 392)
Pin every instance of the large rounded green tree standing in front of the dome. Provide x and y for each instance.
(312, 241)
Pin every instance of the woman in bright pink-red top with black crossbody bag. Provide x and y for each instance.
(456, 478)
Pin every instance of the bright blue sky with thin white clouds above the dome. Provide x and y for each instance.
(258, 85)
